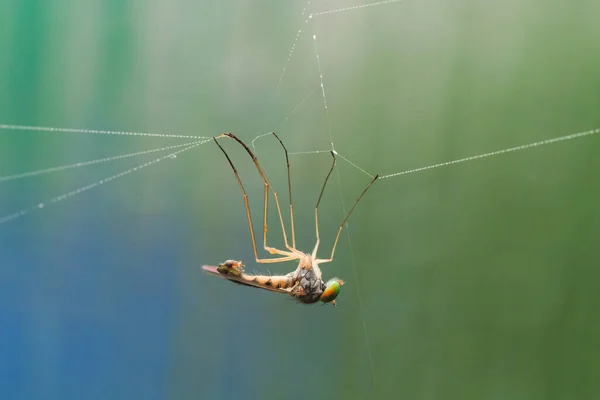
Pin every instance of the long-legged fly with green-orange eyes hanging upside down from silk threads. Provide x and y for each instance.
(305, 283)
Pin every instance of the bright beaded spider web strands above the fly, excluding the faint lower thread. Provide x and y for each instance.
(304, 33)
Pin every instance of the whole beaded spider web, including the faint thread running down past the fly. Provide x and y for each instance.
(312, 18)
